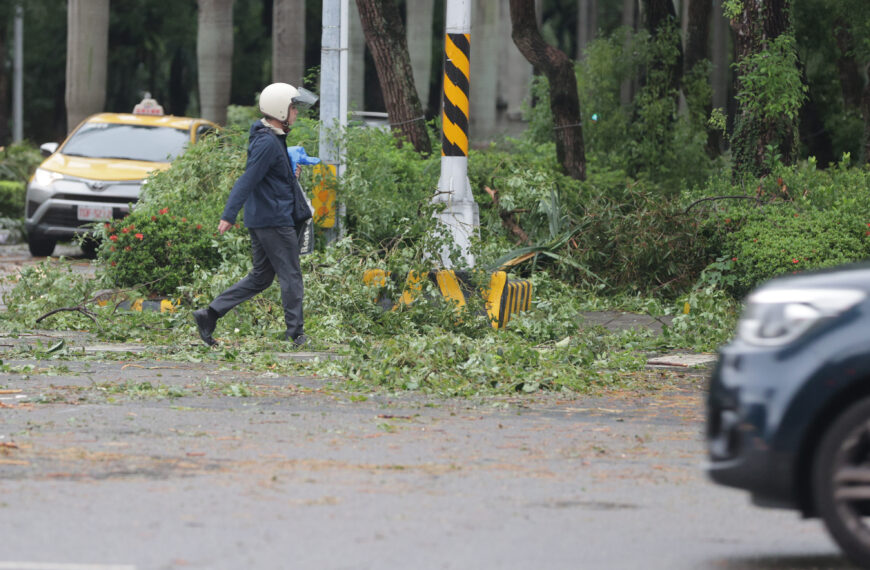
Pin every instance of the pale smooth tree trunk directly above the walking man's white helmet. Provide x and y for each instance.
(288, 41)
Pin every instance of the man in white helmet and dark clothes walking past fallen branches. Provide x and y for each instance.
(266, 190)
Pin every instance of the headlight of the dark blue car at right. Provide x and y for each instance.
(778, 316)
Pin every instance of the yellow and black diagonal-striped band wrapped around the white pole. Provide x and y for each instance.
(457, 50)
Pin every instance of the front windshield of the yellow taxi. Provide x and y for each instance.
(129, 142)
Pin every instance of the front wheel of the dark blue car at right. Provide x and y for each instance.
(841, 481)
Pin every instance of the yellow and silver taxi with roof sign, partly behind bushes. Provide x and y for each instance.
(96, 174)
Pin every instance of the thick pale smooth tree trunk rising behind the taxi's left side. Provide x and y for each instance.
(87, 59)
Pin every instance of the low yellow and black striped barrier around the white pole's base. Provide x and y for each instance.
(503, 297)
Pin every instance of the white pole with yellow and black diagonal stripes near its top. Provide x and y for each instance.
(460, 214)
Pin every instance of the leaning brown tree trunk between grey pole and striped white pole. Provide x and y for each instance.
(385, 36)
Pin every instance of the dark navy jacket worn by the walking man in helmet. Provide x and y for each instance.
(266, 187)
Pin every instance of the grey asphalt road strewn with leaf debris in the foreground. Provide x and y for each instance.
(131, 464)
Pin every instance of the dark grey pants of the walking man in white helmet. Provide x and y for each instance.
(275, 251)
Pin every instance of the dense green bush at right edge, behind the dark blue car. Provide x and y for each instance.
(796, 219)
